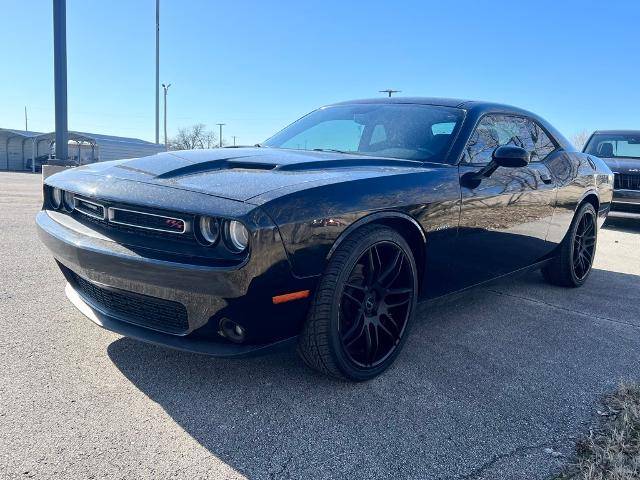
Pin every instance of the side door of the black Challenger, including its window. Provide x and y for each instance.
(504, 219)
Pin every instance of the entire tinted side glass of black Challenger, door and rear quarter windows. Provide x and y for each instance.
(494, 131)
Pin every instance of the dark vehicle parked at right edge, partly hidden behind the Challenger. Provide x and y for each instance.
(620, 149)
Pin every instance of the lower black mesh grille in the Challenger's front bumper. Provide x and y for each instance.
(143, 310)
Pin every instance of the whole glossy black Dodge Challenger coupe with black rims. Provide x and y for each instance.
(327, 234)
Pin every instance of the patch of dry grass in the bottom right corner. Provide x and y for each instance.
(612, 452)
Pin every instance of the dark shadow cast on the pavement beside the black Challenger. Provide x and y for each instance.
(486, 382)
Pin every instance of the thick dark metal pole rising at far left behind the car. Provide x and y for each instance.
(60, 77)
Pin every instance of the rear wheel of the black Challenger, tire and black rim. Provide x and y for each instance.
(573, 264)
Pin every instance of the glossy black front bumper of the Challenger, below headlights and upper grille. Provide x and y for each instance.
(206, 293)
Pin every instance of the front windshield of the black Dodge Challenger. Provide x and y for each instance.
(405, 131)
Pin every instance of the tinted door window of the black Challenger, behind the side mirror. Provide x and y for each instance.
(494, 131)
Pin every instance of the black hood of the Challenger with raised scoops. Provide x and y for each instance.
(244, 173)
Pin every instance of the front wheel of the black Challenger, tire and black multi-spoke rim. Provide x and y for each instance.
(364, 305)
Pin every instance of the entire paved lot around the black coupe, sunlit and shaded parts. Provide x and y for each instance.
(486, 384)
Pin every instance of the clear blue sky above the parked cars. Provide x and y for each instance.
(258, 65)
